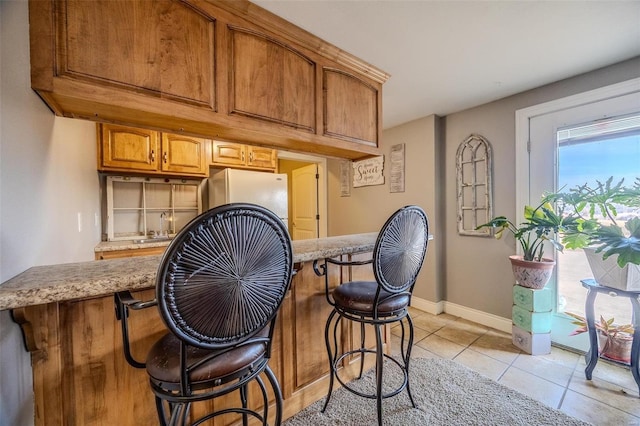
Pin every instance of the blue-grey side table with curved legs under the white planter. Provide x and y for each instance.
(593, 289)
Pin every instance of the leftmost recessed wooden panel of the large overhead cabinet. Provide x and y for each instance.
(159, 47)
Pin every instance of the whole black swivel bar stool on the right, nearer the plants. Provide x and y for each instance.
(397, 258)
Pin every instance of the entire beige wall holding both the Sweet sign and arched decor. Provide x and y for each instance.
(470, 272)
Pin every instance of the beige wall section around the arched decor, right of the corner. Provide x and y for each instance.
(478, 274)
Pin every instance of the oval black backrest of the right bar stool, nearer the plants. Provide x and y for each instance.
(400, 249)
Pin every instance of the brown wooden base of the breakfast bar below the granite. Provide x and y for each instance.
(80, 375)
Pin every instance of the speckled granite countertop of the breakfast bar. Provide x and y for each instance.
(71, 281)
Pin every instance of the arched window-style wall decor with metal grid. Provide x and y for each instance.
(474, 188)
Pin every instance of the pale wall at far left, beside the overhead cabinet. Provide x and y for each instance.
(47, 176)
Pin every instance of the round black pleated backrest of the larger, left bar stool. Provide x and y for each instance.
(223, 278)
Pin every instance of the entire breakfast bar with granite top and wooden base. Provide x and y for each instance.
(81, 377)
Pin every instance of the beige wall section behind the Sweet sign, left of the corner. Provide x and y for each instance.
(368, 207)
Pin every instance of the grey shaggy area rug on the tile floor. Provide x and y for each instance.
(445, 392)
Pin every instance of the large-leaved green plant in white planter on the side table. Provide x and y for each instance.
(595, 227)
